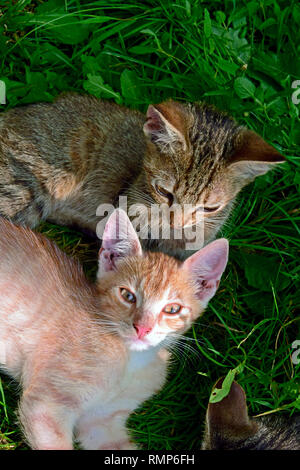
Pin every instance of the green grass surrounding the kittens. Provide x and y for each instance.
(243, 56)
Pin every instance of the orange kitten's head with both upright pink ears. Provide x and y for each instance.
(151, 296)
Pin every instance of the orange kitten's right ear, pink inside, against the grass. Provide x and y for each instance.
(207, 266)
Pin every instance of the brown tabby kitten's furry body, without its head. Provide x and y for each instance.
(49, 151)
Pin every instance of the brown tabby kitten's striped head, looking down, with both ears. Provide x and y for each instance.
(200, 156)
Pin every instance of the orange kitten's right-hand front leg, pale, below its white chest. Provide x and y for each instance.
(104, 433)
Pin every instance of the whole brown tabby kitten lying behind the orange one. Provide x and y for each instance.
(60, 161)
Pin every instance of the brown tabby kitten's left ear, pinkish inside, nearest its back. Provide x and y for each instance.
(166, 126)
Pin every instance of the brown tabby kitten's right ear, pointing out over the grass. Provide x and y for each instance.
(253, 157)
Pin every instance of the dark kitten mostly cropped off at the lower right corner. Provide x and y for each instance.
(228, 426)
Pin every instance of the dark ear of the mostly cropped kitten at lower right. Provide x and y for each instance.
(229, 417)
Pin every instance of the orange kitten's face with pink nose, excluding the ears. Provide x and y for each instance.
(146, 302)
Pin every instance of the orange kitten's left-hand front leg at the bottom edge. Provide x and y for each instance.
(46, 426)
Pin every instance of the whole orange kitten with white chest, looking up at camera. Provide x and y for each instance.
(82, 378)
